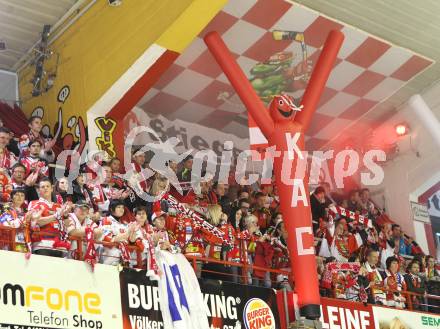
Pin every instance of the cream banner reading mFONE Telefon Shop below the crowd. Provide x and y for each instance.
(49, 293)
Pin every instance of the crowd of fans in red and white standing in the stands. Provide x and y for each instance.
(362, 256)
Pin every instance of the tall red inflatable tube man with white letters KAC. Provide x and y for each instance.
(284, 126)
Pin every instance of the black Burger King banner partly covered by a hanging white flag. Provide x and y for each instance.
(228, 305)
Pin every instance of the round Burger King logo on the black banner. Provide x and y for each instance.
(258, 315)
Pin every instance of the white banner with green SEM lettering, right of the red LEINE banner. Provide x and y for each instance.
(389, 318)
